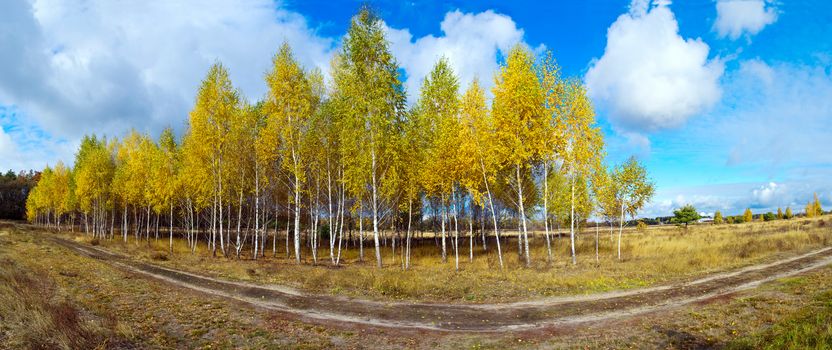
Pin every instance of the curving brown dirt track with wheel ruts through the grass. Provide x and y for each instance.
(520, 316)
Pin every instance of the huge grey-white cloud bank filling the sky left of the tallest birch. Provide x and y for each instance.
(103, 66)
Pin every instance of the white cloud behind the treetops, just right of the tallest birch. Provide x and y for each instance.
(471, 43)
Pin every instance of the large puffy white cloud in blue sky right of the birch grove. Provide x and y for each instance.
(650, 77)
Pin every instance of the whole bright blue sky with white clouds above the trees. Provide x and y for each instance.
(728, 103)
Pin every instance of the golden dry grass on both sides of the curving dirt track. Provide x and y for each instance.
(51, 297)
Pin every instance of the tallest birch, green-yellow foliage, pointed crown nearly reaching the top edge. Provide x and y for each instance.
(369, 81)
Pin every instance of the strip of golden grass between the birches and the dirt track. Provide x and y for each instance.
(652, 256)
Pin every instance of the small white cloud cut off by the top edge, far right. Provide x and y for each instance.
(738, 17)
